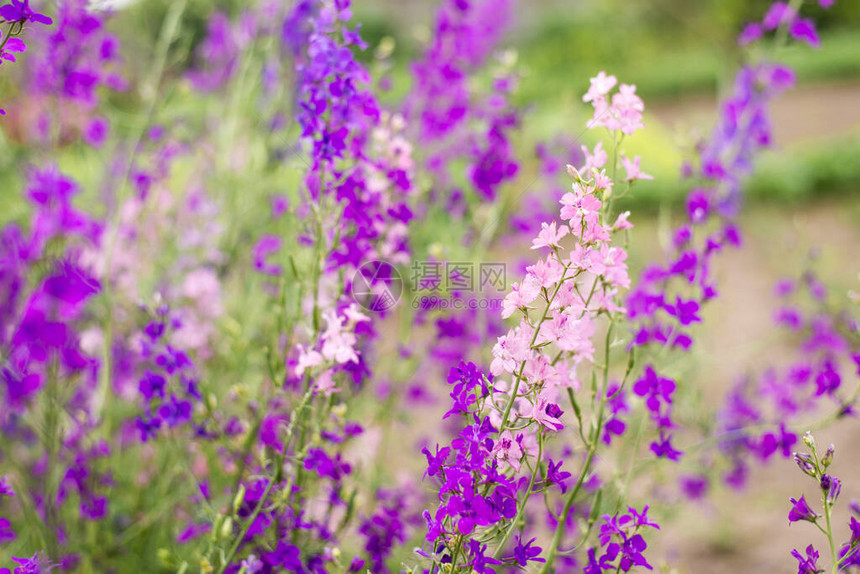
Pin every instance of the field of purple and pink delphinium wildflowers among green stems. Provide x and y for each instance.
(271, 302)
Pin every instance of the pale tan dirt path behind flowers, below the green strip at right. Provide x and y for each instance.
(749, 532)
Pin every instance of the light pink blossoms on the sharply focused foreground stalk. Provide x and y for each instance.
(574, 286)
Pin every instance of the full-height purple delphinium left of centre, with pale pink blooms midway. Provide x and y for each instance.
(352, 210)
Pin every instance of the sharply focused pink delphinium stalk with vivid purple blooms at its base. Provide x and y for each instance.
(492, 468)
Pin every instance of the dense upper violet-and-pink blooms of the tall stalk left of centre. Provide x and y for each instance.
(360, 164)
